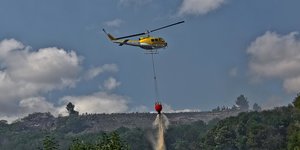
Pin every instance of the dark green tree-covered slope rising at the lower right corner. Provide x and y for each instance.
(277, 129)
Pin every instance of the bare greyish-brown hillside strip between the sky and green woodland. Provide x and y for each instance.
(111, 122)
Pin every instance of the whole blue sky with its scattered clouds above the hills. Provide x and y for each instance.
(53, 52)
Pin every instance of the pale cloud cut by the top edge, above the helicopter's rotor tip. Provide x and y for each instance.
(199, 7)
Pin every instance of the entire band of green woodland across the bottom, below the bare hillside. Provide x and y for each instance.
(276, 129)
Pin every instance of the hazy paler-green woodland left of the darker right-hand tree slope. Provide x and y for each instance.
(72, 137)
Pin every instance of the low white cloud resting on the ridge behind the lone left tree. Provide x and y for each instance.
(100, 102)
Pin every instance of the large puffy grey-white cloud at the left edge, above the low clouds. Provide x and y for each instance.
(27, 73)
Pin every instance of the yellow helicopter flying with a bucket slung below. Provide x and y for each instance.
(149, 43)
